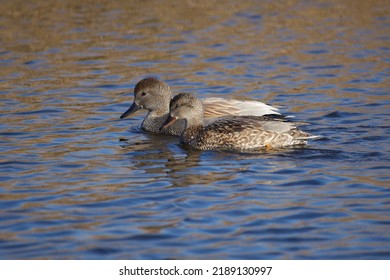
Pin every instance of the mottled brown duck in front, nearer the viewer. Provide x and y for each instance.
(236, 133)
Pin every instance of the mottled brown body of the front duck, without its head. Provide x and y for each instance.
(240, 133)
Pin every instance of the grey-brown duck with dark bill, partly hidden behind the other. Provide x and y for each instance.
(154, 95)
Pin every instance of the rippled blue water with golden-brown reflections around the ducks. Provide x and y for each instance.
(78, 183)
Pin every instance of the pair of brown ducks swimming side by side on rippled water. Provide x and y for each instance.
(215, 123)
